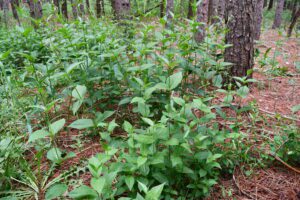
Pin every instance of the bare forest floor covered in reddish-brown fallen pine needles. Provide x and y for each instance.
(274, 96)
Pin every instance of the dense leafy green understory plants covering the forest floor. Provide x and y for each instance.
(168, 116)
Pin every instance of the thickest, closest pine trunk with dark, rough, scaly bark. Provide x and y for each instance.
(240, 36)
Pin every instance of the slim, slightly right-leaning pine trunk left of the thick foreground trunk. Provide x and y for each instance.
(202, 17)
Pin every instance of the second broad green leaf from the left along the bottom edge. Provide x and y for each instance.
(83, 192)
